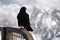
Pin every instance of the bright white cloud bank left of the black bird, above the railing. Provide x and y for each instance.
(9, 12)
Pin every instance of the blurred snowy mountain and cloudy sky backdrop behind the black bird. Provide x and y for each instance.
(44, 16)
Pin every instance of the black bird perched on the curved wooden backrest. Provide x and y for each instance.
(23, 19)
